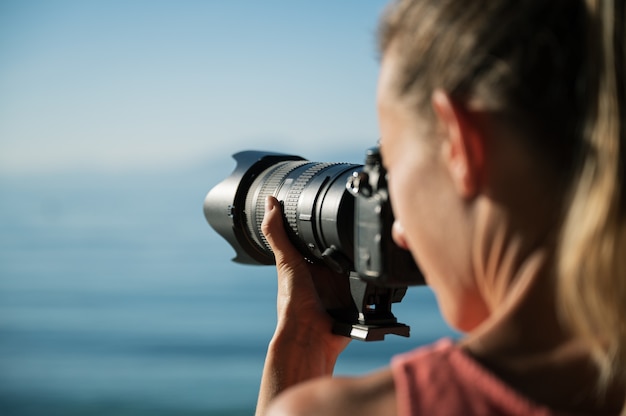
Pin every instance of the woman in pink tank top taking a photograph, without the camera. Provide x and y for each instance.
(502, 126)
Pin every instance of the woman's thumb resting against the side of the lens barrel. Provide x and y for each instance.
(274, 231)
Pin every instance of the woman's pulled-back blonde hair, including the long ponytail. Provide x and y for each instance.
(555, 69)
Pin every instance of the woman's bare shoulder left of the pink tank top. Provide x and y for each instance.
(373, 394)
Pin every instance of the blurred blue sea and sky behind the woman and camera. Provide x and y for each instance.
(116, 118)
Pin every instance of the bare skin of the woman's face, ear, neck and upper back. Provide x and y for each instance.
(477, 211)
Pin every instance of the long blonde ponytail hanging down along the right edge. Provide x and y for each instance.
(592, 258)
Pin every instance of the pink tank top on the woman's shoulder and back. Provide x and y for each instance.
(440, 379)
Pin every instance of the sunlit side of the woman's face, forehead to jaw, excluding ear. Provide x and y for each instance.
(428, 208)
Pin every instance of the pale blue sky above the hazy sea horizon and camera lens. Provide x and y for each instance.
(150, 84)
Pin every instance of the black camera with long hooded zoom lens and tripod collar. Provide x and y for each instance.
(336, 213)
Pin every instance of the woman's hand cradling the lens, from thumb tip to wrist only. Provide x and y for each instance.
(305, 291)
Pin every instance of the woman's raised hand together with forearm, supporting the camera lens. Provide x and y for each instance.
(303, 346)
